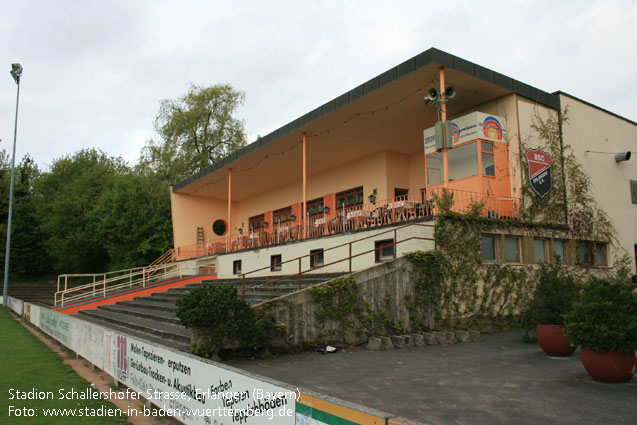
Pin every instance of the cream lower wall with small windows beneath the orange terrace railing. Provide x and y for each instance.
(362, 241)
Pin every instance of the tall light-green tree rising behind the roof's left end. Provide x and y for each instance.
(197, 130)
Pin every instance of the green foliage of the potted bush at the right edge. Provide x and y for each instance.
(605, 318)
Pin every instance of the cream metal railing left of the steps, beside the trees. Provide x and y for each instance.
(112, 282)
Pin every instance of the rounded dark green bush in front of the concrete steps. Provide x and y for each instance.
(221, 318)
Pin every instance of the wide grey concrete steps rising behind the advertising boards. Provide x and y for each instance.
(154, 317)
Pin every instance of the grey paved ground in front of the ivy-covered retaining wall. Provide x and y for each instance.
(498, 381)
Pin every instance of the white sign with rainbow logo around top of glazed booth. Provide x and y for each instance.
(476, 125)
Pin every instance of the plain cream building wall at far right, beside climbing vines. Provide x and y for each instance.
(592, 129)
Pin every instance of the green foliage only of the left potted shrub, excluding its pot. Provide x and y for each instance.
(553, 297)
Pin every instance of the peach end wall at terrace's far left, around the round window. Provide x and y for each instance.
(190, 211)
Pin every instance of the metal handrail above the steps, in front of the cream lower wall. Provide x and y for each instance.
(350, 257)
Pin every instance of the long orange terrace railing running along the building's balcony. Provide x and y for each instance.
(396, 210)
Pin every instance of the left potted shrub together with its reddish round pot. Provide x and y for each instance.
(553, 297)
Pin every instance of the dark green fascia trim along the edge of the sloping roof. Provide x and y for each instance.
(425, 58)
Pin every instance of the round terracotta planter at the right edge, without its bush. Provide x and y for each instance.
(608, 367)
